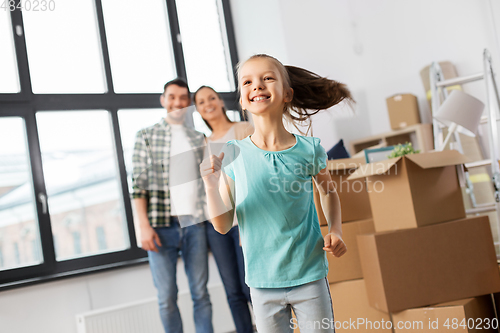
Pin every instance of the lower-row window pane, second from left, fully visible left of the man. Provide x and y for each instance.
(81, 176)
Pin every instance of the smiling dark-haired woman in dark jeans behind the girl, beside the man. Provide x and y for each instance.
(226, 248)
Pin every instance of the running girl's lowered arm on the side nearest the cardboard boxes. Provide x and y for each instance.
(330, 204)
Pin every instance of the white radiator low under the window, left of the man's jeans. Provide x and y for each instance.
(137, 317)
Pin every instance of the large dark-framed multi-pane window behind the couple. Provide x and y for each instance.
(77, 83)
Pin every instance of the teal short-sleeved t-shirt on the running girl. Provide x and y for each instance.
(279, 229)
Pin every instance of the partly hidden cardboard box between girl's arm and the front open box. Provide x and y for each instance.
(354, 201)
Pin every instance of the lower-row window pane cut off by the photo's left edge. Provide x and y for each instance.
(19, 234)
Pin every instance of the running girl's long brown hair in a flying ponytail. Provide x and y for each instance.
(311, 92)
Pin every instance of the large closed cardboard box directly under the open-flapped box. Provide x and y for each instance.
(416, 267)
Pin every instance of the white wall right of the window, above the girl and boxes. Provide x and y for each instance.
(377, 47)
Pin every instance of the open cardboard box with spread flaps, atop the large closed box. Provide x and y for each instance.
(414, 190)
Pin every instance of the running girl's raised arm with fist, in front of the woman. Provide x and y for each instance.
(220, 193)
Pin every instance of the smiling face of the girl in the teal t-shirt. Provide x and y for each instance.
(262, 87)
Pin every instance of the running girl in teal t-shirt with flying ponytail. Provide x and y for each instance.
(269, 175)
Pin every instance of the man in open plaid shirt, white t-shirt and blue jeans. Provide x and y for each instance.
(168, 196)
